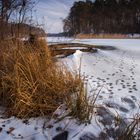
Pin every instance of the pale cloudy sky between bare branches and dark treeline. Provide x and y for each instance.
(52, 12)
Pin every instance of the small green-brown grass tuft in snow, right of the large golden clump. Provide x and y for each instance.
(81, 105)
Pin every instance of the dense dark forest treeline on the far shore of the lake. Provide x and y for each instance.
(103, 16)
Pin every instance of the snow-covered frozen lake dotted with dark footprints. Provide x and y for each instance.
(115, 72)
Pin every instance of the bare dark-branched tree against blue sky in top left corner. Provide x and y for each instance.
(10, 8)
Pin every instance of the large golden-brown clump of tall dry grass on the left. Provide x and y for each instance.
(32, 84)
